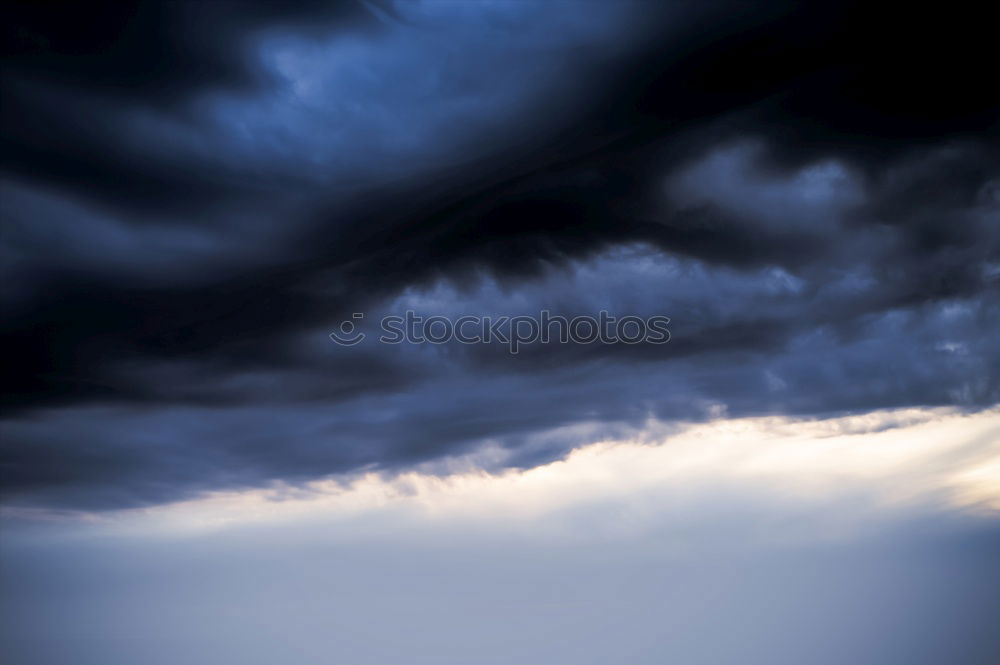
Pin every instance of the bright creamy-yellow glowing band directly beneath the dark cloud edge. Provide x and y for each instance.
(889, 457)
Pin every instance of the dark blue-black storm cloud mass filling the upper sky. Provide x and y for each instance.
(195, 194)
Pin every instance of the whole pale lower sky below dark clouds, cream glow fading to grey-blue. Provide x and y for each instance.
(870, 539)
